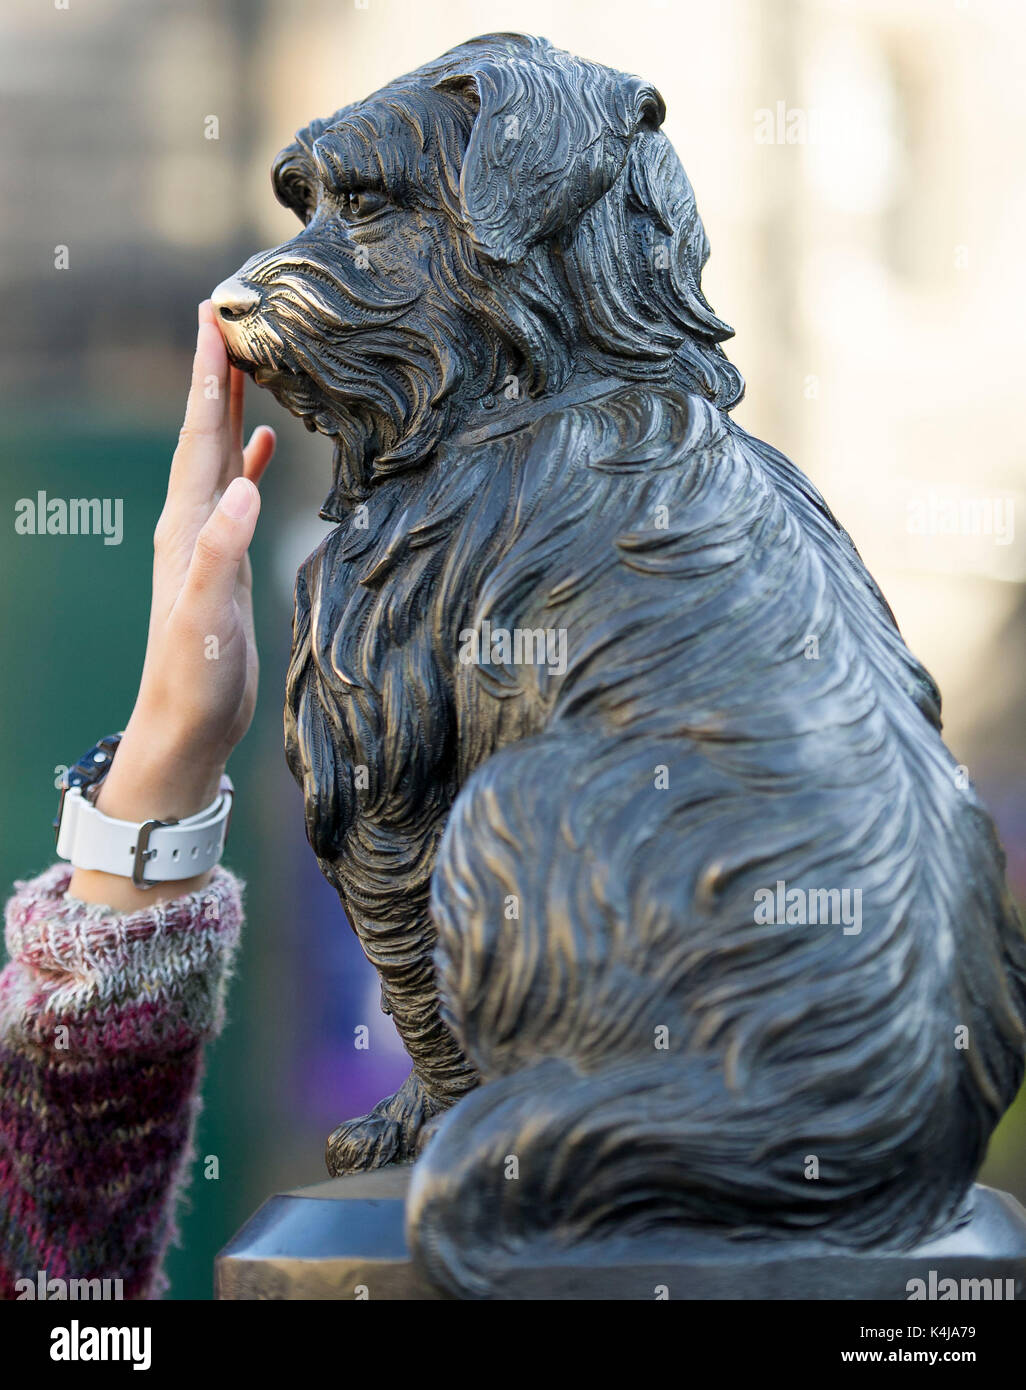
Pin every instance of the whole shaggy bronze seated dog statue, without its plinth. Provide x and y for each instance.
(494, 309)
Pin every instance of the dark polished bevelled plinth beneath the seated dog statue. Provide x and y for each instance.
(345, 1239)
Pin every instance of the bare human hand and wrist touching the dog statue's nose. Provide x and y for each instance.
(198, 689)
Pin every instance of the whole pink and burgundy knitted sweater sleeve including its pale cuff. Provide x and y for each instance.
(104, 1018)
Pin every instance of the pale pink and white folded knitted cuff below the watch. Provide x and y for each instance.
(98, 982)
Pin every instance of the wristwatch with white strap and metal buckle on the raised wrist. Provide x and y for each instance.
(156, 851)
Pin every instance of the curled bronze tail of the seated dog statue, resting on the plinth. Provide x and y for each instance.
(555, 1167)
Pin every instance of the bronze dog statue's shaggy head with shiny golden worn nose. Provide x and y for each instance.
(496, 226)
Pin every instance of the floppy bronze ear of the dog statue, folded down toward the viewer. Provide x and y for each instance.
(551, 137)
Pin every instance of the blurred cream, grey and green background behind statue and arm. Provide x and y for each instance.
(857, 265)
